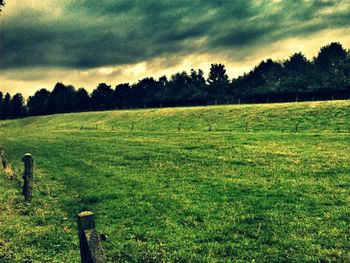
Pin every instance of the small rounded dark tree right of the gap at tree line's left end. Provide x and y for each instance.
(38, 103)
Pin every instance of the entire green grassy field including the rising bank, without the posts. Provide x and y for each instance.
(270, 194)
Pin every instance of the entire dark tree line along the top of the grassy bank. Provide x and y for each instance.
(326, 76)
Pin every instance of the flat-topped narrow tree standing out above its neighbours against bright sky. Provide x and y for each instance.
(218, 81)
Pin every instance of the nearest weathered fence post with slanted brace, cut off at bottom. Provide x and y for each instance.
(91, 250)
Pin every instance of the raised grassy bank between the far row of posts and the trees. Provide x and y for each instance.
(327, 116)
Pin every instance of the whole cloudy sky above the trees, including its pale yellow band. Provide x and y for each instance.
(86, 42)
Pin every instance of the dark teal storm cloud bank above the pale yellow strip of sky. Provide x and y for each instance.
(86, 33)
